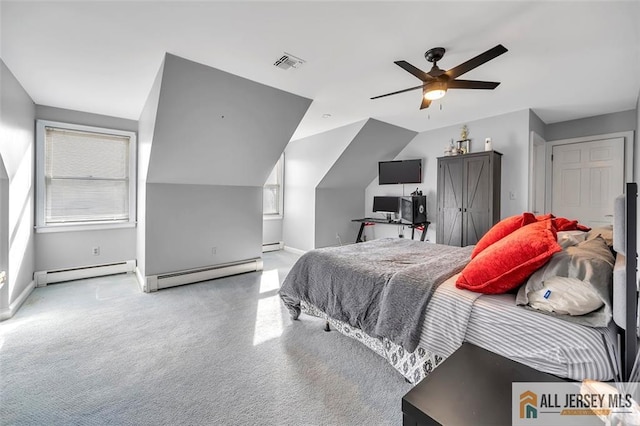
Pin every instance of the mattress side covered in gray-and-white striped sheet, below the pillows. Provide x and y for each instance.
(541, 341)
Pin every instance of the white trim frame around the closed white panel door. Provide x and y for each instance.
(628, 159)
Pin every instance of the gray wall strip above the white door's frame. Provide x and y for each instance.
(599, 125)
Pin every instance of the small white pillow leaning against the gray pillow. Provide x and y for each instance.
(565, 296)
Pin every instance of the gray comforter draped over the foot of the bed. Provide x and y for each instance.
(381, 286)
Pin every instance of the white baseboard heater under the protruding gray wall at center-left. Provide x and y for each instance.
(157, 282)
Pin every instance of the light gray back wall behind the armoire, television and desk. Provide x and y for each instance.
(510, 136)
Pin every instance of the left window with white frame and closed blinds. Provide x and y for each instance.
(85, 177)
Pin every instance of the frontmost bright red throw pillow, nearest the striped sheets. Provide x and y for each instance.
(509, 262)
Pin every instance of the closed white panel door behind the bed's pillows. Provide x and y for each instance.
(587, 176)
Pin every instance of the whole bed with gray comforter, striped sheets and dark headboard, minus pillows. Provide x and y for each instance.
(400, 298)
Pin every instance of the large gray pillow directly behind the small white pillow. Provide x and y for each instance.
(591, 262)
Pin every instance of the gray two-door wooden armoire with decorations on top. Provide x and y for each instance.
(468, 197)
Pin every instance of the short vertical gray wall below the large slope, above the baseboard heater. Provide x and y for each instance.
(185, 222)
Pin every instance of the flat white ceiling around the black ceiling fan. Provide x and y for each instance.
(566, 60)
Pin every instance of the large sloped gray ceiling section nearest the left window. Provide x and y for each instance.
(216, 128)
